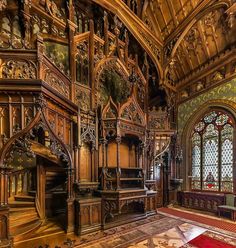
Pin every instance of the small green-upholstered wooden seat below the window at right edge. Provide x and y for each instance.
(229, 206)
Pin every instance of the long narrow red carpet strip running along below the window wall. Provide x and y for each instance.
(231, 227)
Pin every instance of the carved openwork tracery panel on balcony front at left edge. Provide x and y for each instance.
(18, 69)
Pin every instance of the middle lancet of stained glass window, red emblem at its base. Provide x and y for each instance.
(210, 159)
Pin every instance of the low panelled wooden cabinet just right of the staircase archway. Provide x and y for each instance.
(88, 215)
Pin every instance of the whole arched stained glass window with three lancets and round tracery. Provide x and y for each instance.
(212, 153)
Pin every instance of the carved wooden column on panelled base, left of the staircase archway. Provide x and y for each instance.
(5, 240)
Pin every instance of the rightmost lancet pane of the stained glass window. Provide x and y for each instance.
(227, 159)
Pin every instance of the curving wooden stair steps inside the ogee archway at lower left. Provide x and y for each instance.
(24, 218)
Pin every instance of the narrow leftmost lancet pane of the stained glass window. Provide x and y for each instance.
(196, 161)
